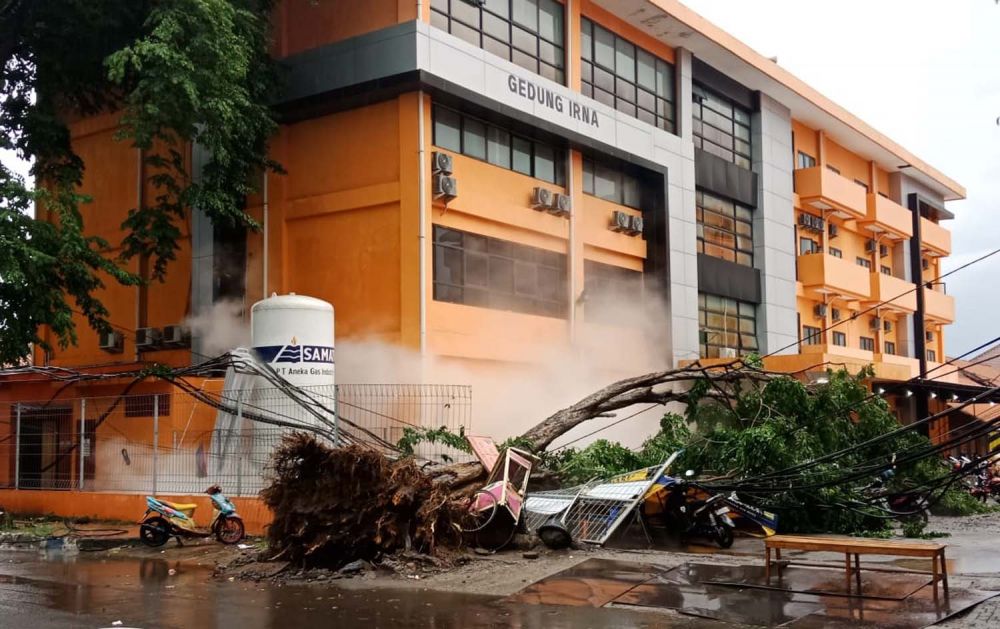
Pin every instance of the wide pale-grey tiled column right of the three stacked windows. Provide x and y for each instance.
(774, 227)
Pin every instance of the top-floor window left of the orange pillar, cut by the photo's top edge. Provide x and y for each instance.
(526, 32)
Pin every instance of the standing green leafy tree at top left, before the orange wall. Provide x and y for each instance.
(182, 73)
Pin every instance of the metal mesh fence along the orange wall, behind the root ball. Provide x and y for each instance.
(178, 443)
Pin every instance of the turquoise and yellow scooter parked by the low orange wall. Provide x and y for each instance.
(164, 520)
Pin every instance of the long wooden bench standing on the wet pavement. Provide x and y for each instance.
(857, 546)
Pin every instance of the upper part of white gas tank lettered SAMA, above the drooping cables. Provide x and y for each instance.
(294, 335)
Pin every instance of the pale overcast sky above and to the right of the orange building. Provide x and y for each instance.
(927, 74)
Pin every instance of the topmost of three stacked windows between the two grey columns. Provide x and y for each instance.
(721, 127)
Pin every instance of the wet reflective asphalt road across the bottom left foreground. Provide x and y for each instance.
(57, 591)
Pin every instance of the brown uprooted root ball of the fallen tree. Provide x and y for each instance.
(335, 505)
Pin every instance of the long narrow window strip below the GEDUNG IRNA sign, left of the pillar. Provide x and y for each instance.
(473, 137)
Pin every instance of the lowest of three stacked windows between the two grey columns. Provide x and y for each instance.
(726, 324)
